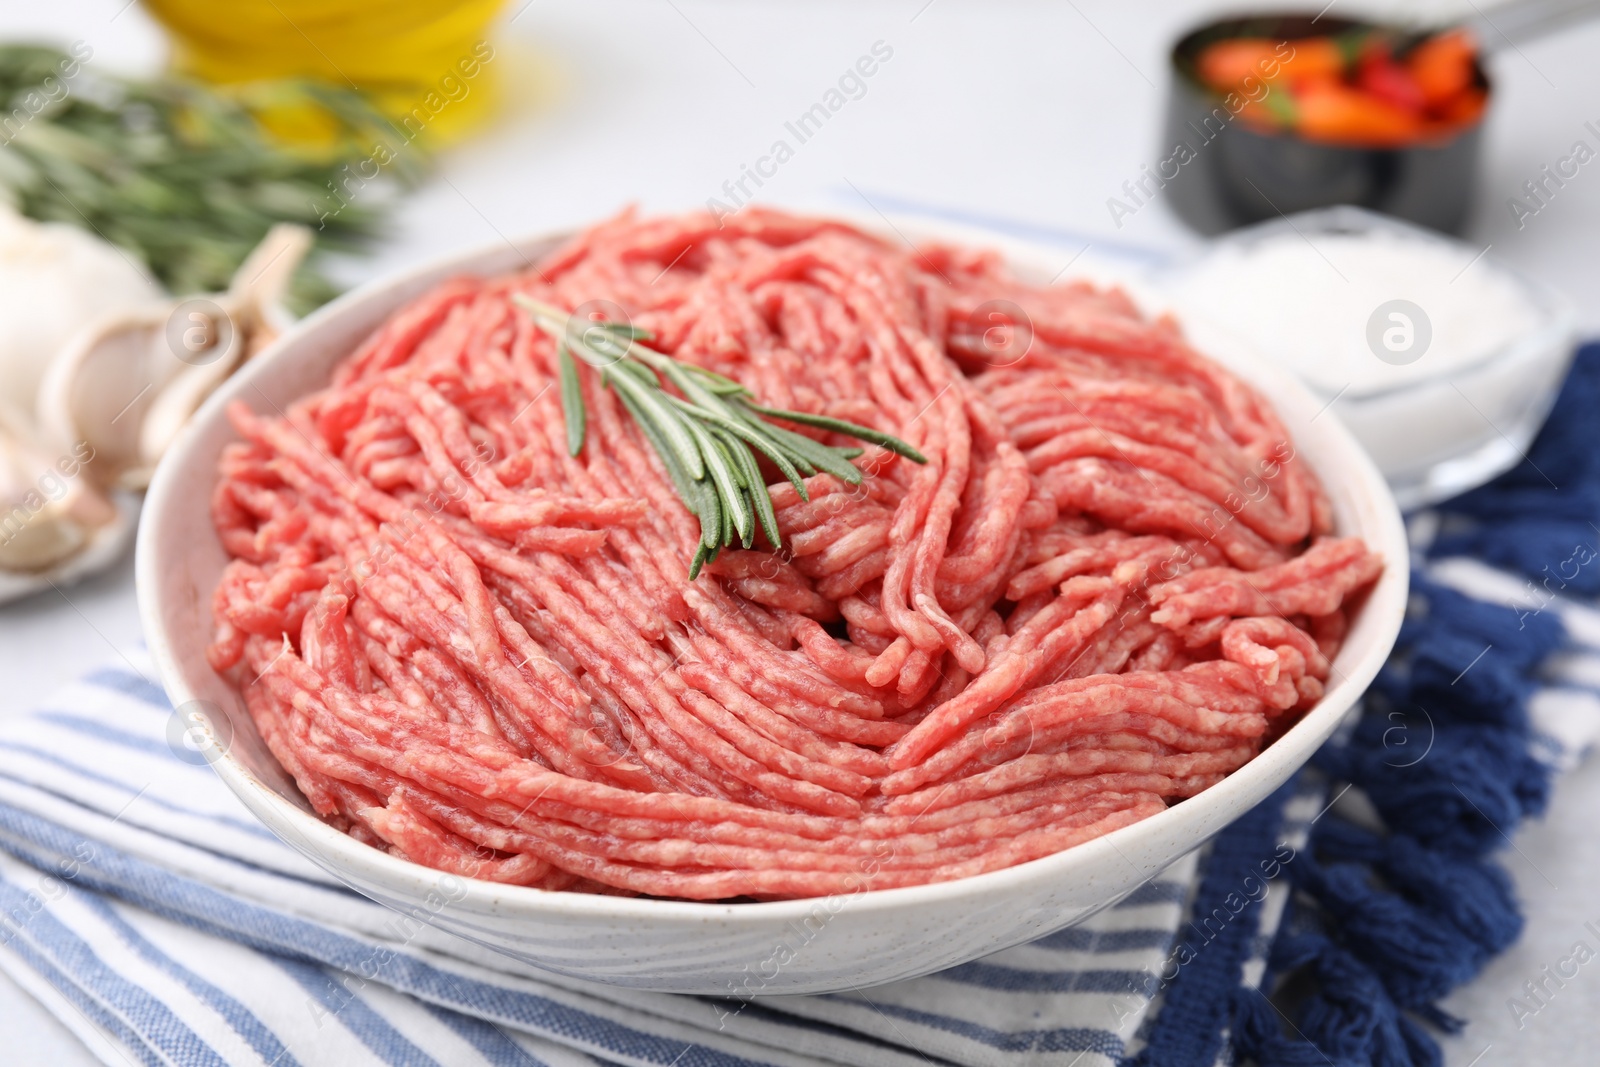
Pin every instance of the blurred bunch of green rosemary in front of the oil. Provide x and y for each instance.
(185, 177)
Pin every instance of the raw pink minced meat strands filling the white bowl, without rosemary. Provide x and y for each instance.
(1106, 589)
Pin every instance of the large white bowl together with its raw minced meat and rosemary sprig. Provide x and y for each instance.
(892, 593)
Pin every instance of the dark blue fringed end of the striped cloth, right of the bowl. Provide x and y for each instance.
(1398, 893)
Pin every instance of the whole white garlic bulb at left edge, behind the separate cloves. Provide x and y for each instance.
(54, 281)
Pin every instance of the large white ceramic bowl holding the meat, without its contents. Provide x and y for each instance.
(687, 948)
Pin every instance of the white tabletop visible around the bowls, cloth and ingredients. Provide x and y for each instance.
(1018, 113)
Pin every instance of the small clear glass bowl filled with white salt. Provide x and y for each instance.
(1441, 362)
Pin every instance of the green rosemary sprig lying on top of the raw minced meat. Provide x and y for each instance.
(708, 434)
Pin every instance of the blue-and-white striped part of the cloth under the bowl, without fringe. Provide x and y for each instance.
(159, 922)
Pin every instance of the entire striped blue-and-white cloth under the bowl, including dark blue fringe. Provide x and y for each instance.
(162, 925)
